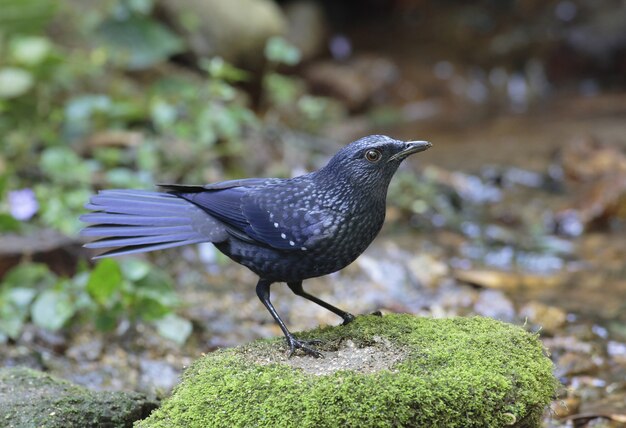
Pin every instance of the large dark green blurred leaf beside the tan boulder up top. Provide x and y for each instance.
(138, 42)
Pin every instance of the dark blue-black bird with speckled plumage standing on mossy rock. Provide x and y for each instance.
(285, 230)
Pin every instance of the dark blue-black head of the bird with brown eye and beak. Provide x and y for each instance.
(371, 161)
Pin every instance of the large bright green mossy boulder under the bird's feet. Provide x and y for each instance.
(396, 370)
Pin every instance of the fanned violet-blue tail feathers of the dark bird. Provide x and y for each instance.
(136, 221)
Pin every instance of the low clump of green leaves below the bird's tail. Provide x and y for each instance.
(112, 292)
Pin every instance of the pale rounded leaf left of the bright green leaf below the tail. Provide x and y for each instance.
(52, 309)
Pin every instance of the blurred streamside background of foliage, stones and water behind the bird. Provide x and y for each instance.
(517, 212)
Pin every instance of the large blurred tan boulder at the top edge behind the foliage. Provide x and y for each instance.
(233, 29)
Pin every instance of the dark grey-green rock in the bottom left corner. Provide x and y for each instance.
(29, 398)
